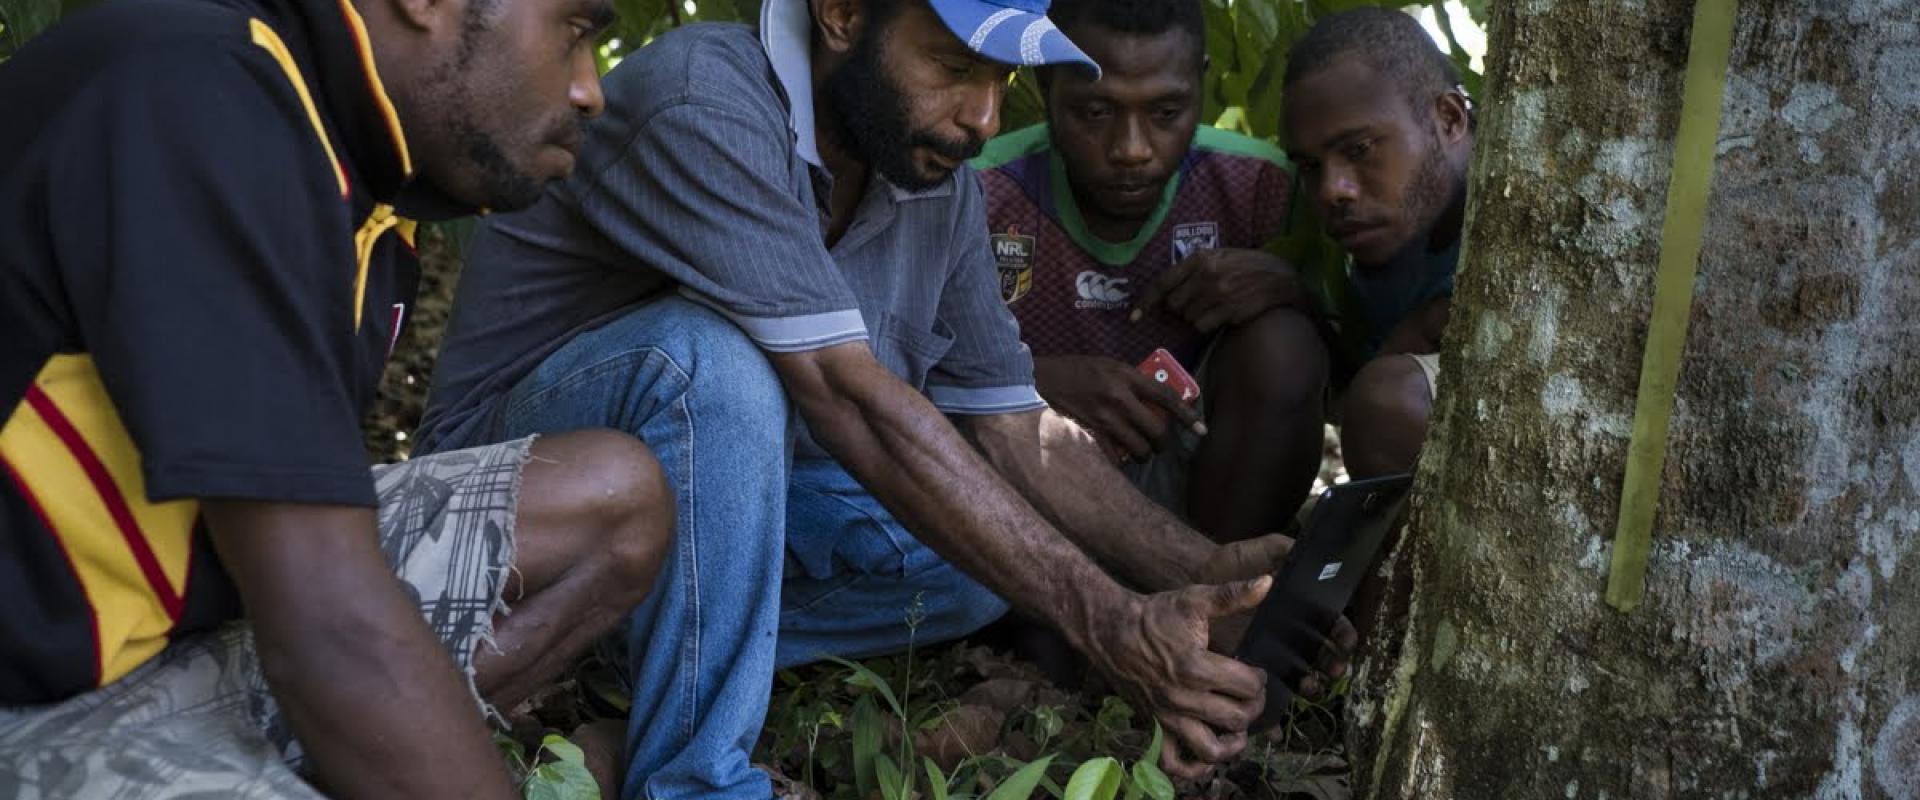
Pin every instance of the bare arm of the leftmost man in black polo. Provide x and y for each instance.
(372, 694)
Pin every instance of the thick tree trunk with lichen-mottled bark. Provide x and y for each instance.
(1779, 646)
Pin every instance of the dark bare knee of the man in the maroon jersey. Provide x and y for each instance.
(1278, 356)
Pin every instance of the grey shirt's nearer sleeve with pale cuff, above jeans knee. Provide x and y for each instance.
(715, 199)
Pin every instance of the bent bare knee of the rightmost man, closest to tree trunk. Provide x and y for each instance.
(1385, 417)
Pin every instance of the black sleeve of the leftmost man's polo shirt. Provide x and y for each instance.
(206, 252)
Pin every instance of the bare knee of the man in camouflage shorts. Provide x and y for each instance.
(619, 490)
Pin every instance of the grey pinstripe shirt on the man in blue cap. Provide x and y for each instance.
(704, 176)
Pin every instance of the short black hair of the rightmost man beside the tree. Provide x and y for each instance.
(1389, 41)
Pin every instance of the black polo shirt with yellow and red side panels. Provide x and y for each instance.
(201, 277)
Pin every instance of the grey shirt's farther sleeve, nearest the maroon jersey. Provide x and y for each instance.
(988, 371)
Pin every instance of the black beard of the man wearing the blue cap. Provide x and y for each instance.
(871, 116)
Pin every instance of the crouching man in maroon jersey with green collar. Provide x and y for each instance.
(1120, 227)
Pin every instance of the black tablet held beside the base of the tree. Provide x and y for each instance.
(1318, 580)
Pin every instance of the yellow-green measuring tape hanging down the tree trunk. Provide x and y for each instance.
(1673, 296)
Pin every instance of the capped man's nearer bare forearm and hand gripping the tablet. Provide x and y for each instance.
(946, 494)
